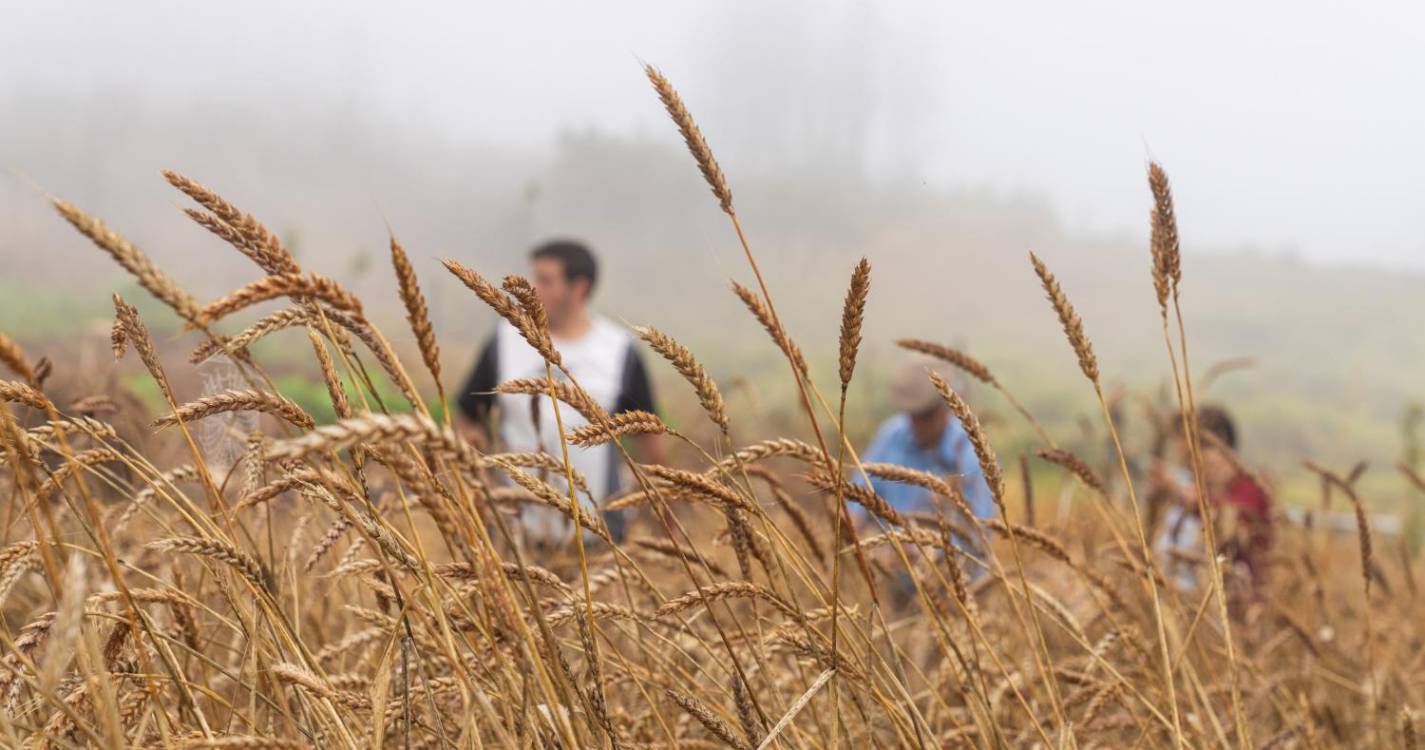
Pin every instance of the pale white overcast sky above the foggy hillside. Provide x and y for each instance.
(1286, 126)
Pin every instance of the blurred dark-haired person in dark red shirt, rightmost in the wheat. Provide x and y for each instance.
(1248, 520)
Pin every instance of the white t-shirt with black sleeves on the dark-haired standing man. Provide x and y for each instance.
(603, 361)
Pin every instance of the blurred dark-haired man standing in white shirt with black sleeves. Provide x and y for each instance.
(601, 357)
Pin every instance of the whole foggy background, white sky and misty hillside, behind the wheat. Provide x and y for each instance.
(940, 140)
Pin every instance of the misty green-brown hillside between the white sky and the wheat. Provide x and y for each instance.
(1336, 364)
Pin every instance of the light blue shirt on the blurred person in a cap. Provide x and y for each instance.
(953, 456)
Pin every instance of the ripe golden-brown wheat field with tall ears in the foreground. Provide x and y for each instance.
(363, 584)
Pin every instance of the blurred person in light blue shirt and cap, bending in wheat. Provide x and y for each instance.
(927, 437)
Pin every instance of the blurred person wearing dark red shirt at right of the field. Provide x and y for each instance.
(1243, 507)
